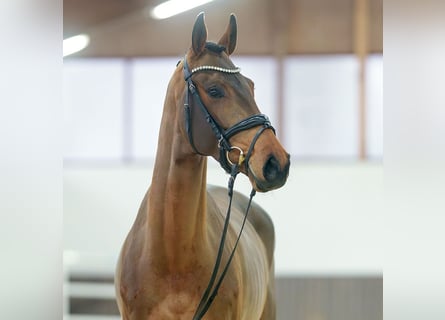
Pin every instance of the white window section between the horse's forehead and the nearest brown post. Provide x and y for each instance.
(263, 72)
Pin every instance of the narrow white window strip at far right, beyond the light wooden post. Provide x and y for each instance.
(374, 107)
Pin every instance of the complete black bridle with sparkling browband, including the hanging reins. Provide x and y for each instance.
(225, 147)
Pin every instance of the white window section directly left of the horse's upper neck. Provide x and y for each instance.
(150, 81)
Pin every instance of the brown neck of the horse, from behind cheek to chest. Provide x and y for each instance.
(177, 197)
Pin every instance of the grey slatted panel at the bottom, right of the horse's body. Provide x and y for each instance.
(329, 298)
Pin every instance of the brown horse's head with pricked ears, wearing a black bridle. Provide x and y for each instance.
(221, 117)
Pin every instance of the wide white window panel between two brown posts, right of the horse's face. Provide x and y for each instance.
(321, 106)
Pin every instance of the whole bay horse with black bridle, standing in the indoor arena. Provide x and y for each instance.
(167, 258)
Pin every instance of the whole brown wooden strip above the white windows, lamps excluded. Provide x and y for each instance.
(124, 28)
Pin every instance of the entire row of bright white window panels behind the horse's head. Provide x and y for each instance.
(112, 107)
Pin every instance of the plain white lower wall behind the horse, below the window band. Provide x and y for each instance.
(327, 217)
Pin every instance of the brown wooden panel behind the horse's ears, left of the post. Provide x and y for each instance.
(136, 34)
